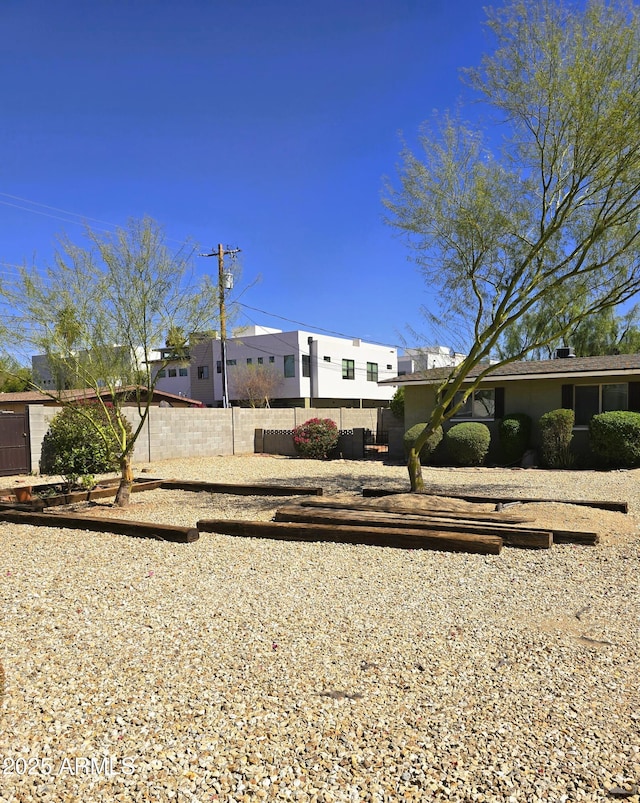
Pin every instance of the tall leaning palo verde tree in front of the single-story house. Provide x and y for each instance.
(554, 213)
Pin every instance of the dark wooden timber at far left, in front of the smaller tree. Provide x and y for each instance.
(71, 521)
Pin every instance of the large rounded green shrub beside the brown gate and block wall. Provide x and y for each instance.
(79, 442)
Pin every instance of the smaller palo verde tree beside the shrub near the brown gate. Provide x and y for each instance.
(98, 314)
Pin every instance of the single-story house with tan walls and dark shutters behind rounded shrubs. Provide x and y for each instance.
(587, 385)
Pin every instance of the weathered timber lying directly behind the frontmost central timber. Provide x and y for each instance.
(513, 536)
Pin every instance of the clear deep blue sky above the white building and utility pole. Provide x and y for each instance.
(267, 125)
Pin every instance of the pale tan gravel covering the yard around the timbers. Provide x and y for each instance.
(238, 669)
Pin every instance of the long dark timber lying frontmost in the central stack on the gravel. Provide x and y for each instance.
(338, 533)
